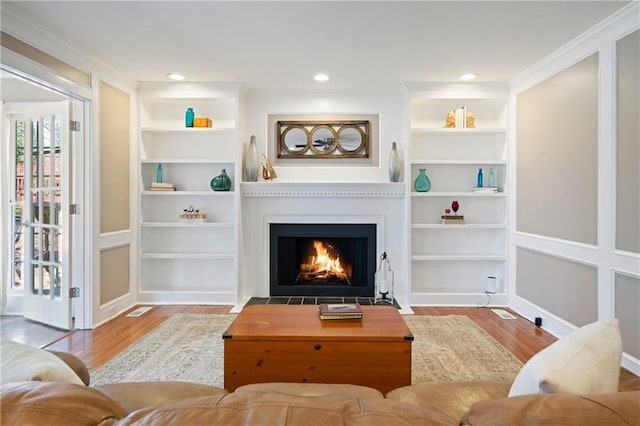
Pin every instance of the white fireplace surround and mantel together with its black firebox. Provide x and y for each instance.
(358, 220)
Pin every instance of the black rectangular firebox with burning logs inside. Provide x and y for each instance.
(322, 259)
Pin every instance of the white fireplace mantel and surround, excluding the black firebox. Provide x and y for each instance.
(263, 203)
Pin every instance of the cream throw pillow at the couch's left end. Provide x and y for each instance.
(22, 362)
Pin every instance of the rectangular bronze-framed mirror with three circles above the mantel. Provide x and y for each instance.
(323, 139)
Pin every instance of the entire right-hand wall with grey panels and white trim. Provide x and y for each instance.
(576, 172)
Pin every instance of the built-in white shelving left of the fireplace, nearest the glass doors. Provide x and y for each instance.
(188, 262)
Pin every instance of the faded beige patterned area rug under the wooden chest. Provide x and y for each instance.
(189, 347)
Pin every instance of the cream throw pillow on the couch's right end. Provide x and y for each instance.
(587, 360)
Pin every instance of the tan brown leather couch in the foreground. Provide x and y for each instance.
(176, 403)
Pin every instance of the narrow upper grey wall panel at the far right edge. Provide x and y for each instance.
(628, 144)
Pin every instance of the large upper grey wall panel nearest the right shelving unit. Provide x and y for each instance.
(557, 155)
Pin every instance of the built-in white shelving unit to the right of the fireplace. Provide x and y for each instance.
(450, 263)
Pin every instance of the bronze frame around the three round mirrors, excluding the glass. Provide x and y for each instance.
(311, 150)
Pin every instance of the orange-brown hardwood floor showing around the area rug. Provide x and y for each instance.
(96, 347)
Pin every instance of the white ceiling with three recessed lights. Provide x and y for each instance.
(283, 44)
